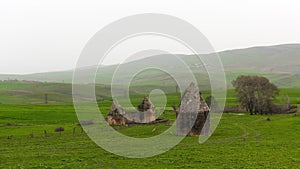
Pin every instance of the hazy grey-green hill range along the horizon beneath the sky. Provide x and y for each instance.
(280, 63)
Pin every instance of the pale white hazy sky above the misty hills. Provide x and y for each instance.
(39, 36)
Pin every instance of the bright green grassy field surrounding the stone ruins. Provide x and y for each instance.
(240, 141)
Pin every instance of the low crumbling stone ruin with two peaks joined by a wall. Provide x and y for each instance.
(145, 114)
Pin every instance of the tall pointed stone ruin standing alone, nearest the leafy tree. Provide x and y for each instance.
(193, 116)
